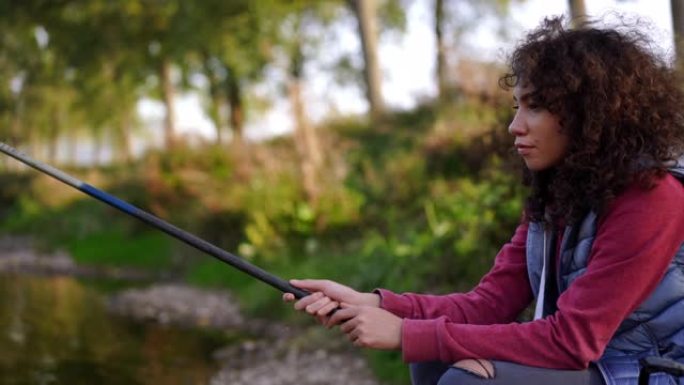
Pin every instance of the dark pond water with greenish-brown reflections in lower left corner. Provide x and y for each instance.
(56, 331)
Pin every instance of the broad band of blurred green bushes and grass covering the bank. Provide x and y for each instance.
(412, 211)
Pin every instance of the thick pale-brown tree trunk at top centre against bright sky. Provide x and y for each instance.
(366, 14)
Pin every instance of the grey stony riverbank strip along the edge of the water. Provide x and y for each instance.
(266, 352)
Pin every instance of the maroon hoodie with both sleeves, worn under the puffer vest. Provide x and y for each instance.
(635, 242)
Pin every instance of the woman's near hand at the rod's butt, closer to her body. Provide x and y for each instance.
(369, 327)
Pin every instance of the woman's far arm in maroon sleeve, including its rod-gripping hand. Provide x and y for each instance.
(499, 297)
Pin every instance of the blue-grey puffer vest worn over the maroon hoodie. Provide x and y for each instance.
(655, 328)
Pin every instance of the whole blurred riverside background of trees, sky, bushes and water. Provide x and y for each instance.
(362, 140)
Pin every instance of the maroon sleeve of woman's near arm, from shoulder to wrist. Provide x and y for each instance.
(634, 245)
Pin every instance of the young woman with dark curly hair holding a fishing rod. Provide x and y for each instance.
(599, 124)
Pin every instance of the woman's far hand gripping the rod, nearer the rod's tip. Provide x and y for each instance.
(326, 296)
